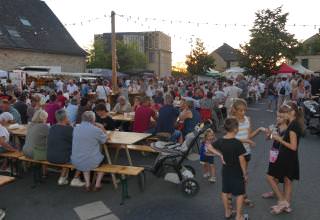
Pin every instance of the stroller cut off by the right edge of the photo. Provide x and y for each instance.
(312, 111)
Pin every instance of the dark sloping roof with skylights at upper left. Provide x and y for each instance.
(31, 25)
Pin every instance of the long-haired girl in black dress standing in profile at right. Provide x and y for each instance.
(286, 166)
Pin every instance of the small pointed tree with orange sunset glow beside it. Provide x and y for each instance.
(198, 61)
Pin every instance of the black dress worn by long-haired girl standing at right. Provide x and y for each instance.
(287, 163)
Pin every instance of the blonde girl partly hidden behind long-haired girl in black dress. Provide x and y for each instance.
(282, 125)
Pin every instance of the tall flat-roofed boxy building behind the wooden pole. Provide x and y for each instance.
(155, 45)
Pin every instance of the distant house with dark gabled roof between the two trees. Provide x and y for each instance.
(225, 57)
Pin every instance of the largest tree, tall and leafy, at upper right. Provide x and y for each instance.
(270, 43)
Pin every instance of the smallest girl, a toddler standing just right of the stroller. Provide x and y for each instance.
(207, 158)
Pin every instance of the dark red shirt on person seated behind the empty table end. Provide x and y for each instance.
(142, 118)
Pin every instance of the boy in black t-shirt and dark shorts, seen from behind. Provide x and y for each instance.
(234, 174)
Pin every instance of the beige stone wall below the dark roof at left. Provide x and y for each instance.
(12, 59)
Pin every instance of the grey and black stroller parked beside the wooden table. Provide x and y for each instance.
(169, 163)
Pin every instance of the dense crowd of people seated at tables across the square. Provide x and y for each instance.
(63, 126)
